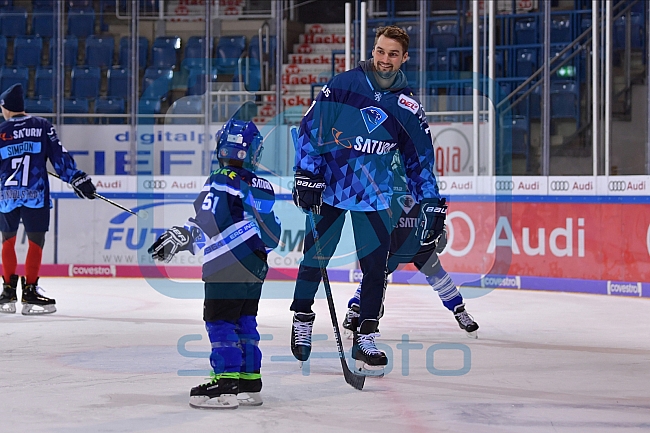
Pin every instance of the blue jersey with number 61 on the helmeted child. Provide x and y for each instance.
(234, 218)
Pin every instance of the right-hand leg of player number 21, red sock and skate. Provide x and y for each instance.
(36, 222)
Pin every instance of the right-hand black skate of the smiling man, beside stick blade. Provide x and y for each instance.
(370, 361)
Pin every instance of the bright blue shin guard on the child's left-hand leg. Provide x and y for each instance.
(226, 353)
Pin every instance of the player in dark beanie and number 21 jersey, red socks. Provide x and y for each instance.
(26, 144)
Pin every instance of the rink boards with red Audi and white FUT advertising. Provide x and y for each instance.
(577, 234)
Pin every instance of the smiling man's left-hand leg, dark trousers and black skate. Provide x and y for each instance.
(329, 225)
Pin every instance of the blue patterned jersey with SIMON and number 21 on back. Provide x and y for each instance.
(26, 144)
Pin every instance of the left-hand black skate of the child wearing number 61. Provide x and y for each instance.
(220, 393)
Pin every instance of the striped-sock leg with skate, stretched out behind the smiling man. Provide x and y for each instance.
(451, 298)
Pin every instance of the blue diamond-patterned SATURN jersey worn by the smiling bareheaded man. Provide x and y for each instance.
(349, 136)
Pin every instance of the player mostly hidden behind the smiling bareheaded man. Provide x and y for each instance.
(406, 248)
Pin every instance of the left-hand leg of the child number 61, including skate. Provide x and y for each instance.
(221, 311)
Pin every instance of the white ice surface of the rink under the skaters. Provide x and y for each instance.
(109, 361)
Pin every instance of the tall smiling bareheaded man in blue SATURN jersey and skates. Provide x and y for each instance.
(343, 160)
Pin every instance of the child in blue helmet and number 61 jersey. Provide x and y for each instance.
(235, 227)
